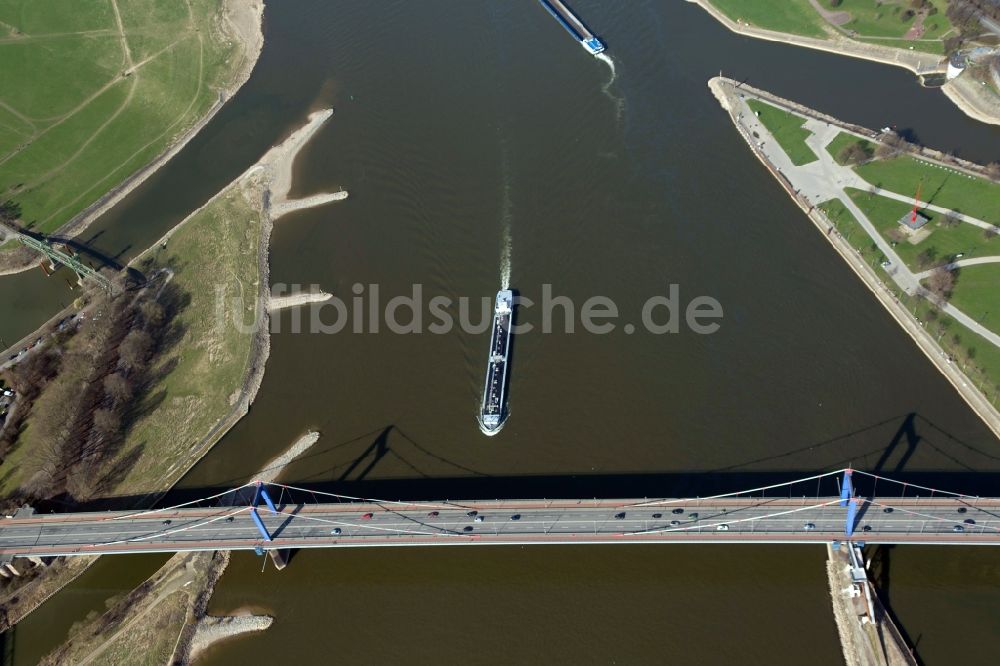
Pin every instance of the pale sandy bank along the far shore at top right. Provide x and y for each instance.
(918, 62)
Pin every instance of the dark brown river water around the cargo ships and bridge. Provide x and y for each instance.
(476, 141)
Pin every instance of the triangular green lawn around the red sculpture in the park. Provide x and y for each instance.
(943, 242)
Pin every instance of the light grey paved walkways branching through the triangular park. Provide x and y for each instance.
(825, 179)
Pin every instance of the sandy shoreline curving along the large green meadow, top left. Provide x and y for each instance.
(242, 24)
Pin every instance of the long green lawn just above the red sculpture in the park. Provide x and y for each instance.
(940, 186)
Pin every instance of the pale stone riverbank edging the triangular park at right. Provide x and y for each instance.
(724, 91)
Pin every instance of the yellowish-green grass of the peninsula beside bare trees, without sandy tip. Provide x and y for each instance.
(214, 252)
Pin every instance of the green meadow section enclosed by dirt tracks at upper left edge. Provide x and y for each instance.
(47, 78)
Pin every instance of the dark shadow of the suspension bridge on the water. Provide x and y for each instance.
(890, 458)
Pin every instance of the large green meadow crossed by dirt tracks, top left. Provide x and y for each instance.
(111, 101)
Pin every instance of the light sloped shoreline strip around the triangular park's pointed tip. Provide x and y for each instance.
(924, 341)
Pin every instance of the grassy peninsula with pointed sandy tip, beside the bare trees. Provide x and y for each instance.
(222, 314)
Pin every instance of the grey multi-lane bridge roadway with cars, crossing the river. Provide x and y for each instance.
(729, 520)
